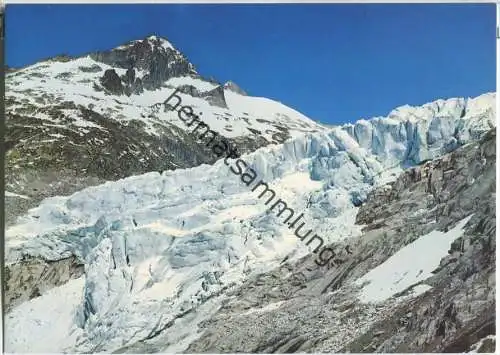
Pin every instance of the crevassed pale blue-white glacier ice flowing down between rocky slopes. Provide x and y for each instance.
(165, 247)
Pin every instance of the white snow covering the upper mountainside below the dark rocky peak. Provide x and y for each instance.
(79, 81)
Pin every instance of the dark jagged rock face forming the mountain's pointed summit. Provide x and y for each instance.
(159, 61)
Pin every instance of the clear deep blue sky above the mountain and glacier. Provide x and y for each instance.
(334, 62)
